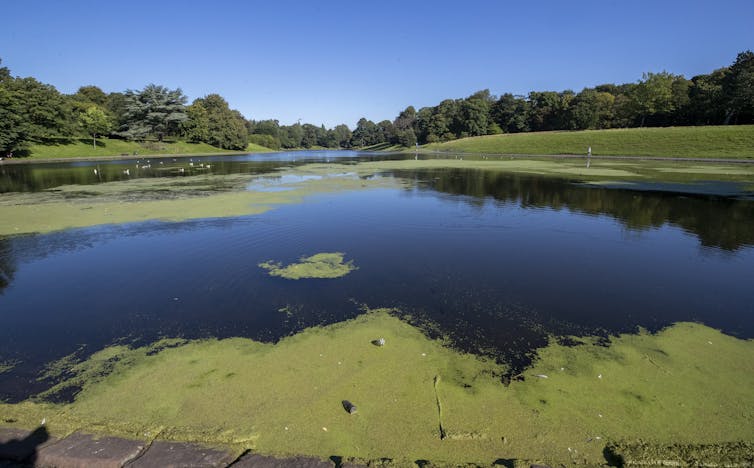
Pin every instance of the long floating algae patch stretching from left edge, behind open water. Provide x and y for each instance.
(148, 199)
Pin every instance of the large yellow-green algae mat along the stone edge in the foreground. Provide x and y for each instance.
(416, 398)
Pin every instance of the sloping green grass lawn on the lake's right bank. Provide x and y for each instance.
(692, 142)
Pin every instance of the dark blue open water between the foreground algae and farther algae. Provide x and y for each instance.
(496, 262)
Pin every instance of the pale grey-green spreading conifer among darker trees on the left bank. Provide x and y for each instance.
(155, 111)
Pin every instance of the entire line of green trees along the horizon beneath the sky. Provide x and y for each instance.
(34, 112)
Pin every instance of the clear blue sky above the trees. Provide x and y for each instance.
(331, 62)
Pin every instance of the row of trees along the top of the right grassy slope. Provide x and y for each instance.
(723, 97)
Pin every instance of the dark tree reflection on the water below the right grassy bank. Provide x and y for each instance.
(723, 222)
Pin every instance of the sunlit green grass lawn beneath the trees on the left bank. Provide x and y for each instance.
(113, 147)
